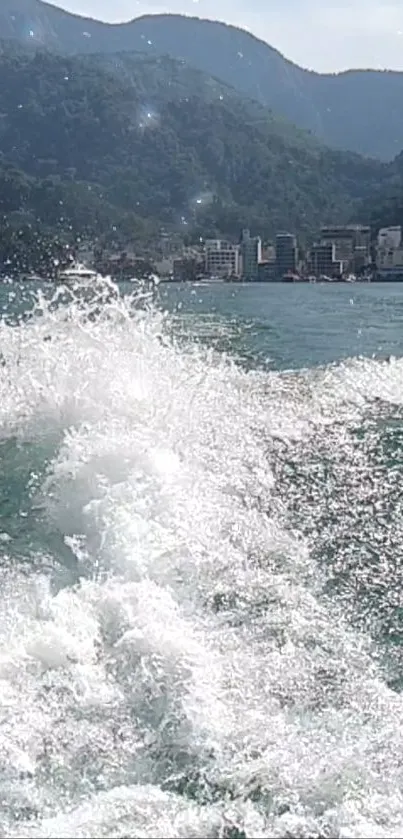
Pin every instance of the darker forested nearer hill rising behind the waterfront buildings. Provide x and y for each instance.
(109, 142)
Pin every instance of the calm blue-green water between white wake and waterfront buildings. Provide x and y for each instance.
(288, 326)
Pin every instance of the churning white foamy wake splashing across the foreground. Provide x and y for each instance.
(178, 657)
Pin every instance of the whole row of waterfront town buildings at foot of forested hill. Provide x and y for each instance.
(340, 253)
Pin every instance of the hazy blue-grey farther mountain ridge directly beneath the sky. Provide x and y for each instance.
(357, 110)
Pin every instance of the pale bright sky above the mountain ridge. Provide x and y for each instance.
(323, 35)
